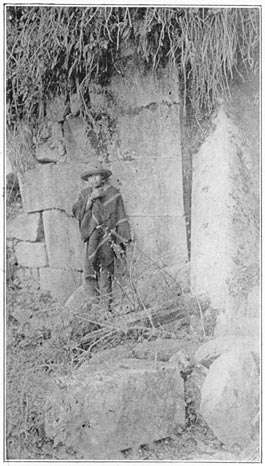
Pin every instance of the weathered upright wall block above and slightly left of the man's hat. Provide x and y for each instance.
(78, 145)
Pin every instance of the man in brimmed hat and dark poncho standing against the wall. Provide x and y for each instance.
(104, 231)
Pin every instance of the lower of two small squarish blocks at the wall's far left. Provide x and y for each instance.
(31, 254)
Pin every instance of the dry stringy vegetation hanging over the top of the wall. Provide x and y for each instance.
(58, 50)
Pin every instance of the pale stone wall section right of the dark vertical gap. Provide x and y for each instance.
(225, 214)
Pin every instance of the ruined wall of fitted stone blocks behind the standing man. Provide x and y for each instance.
(139, 130)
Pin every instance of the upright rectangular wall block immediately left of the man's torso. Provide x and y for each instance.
(63, 242)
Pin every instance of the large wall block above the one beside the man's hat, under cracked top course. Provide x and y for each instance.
(150, 132)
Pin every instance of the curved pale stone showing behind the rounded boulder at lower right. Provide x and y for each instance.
(210, 351)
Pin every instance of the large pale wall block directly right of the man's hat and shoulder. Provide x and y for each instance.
(150, 187)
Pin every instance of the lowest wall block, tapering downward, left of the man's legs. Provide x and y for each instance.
(60, 283)
